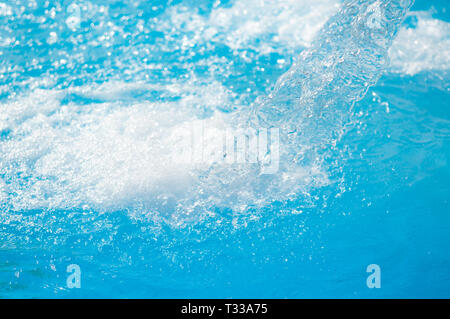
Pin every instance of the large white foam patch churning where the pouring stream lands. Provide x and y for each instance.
(113, 155)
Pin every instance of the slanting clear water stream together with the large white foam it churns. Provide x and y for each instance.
(101, 155)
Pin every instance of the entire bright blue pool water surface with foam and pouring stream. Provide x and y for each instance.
(93, 92)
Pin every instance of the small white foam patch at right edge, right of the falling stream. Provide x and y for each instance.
(422, 48)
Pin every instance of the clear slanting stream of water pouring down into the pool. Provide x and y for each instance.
(315, 97)
